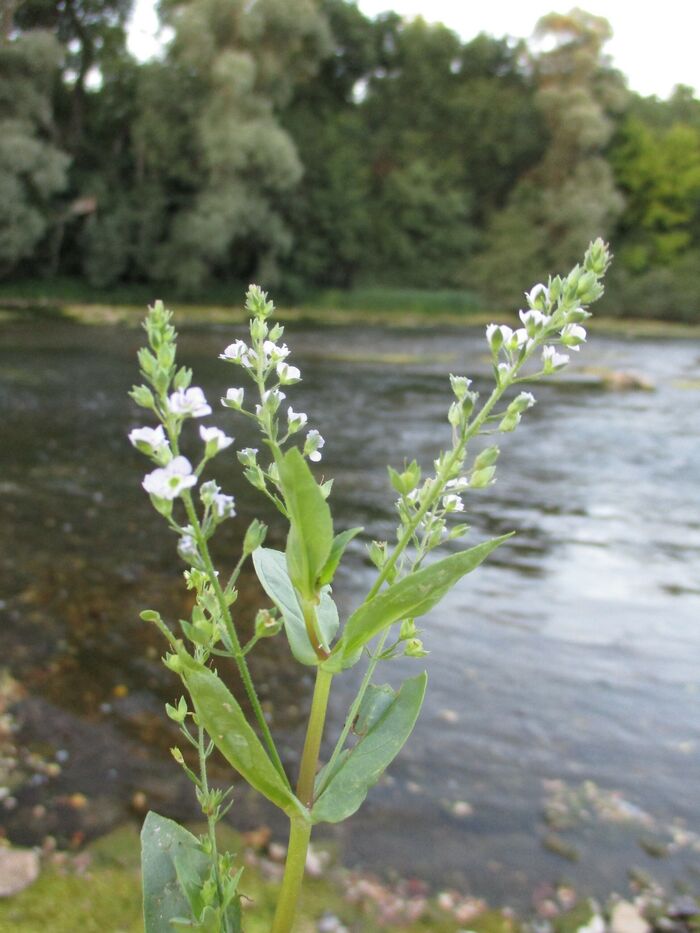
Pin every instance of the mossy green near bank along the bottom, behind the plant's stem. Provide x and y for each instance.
(98, 891)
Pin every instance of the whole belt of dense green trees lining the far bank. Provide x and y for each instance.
(302, 143)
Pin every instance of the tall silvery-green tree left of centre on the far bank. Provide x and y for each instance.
(244, 59)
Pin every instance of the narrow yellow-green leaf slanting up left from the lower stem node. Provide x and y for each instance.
(220, 715)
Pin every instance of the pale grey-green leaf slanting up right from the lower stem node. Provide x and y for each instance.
(359, 768)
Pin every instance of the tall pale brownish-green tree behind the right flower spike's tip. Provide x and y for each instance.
(570, 196)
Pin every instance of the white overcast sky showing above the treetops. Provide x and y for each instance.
(655, 45)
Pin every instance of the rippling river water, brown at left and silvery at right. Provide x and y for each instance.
(563, 710)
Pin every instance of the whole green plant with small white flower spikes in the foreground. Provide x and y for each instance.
(187, 882)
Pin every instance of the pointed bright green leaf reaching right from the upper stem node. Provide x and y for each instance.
(410, 597)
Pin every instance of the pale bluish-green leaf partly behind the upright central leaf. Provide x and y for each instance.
(271, 568)
